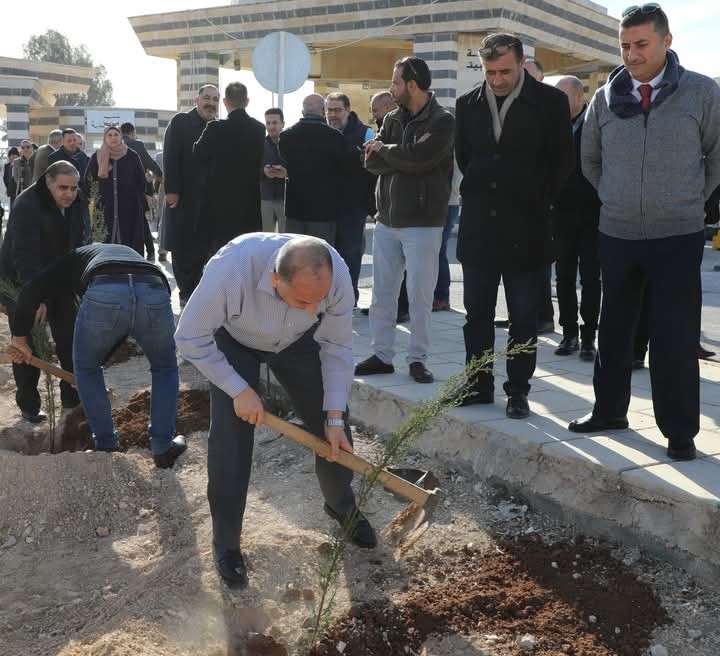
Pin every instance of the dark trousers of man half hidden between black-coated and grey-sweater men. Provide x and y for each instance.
(578, 251)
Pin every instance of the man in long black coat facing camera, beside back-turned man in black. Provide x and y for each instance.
(186, 232)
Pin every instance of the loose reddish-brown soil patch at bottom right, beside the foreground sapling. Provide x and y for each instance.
(573, 598)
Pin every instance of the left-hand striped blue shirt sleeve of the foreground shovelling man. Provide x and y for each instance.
(205, 313)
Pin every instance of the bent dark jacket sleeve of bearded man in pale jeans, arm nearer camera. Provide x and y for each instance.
(423, 155)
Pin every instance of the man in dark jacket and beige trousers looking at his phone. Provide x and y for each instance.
(274, 173)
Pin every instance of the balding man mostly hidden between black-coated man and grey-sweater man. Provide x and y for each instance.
(577, 213)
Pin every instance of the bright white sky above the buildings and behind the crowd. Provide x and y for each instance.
(141, 81)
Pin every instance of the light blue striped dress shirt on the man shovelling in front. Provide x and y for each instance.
(236, 293)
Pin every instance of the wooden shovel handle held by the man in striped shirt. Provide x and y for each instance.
(347, 459)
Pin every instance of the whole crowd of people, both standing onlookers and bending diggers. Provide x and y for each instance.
(616, 189)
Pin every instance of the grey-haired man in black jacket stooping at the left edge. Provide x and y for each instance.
(46, 222)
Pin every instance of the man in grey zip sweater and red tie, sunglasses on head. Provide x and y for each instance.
(651, 147)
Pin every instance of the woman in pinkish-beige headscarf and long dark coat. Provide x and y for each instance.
(121, 184)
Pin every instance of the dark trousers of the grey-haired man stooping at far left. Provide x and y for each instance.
(61, 314)
